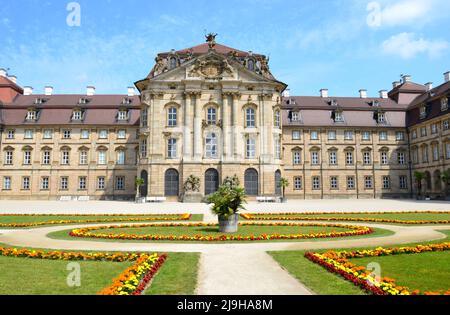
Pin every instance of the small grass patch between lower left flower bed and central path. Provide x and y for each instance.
(178, 275)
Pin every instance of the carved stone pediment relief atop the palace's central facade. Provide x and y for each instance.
(212, 67)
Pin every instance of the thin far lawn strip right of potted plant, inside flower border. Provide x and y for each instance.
(390, 216)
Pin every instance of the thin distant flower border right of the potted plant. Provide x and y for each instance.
(292, 216)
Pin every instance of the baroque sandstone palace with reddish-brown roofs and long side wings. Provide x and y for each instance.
(214, 111)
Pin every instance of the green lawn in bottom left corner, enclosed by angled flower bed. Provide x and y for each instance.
(25, 276)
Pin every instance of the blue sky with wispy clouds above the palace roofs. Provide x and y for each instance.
(342, 45)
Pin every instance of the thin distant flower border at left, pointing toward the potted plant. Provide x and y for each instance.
(116, 218)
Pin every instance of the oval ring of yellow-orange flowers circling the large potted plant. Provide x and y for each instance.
(86, 232)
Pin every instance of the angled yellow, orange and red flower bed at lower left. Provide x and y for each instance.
(132, 281)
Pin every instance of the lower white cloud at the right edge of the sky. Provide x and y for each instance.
(407, 46)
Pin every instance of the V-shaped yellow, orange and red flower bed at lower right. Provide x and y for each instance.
(337, 262)
